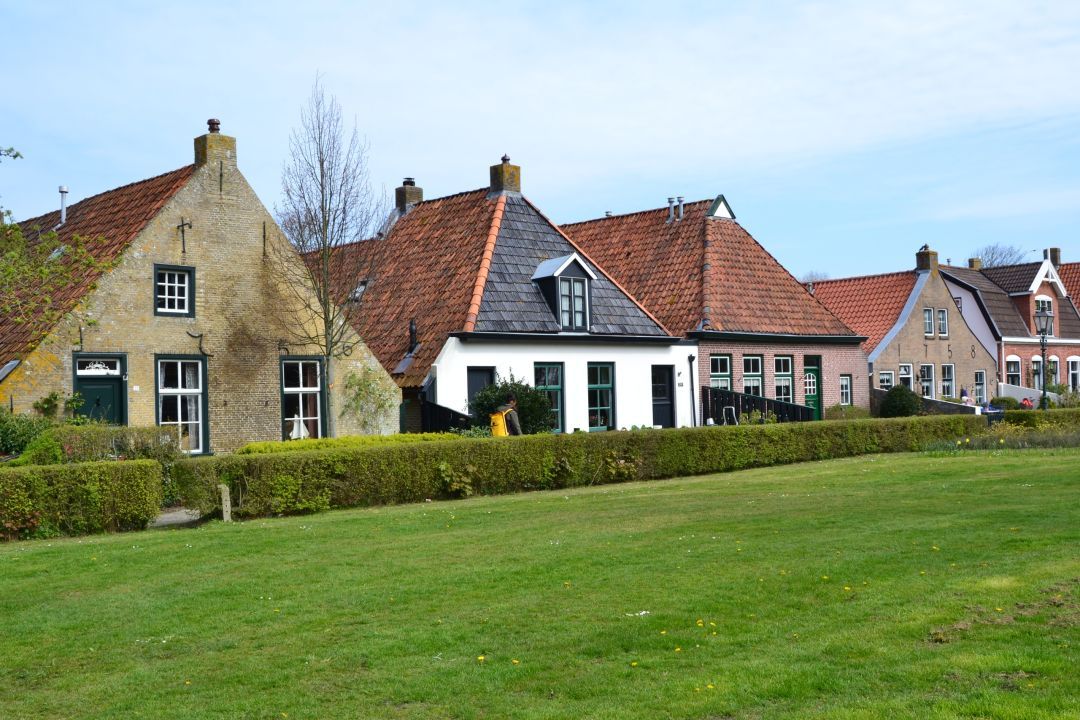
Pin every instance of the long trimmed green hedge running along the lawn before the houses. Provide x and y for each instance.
(273, 484)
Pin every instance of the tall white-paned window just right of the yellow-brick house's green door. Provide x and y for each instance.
(182, 401)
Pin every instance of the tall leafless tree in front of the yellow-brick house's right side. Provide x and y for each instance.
(328, 210)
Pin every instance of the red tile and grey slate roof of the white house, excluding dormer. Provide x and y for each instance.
(465, 264)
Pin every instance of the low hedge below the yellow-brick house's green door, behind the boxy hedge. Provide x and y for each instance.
(69, 444)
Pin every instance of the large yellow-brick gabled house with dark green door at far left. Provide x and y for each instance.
(183, 320)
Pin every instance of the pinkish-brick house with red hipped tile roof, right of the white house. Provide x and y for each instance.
(757, 329)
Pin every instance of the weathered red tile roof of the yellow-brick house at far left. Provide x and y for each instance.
(110, 222)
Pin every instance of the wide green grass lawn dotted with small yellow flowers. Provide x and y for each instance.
(887, 587)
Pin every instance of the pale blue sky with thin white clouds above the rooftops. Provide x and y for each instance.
(845, 135)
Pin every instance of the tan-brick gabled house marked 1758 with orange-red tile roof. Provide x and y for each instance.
(915, 334)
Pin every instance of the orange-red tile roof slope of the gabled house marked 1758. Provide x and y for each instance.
(871, 304)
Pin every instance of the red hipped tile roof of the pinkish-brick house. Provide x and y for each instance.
(704, 274)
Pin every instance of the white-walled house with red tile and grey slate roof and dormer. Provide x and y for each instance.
(481, 284)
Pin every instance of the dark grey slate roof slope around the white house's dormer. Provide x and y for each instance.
(512, 303)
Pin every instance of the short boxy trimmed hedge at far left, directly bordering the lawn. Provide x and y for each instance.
(78, 499)
